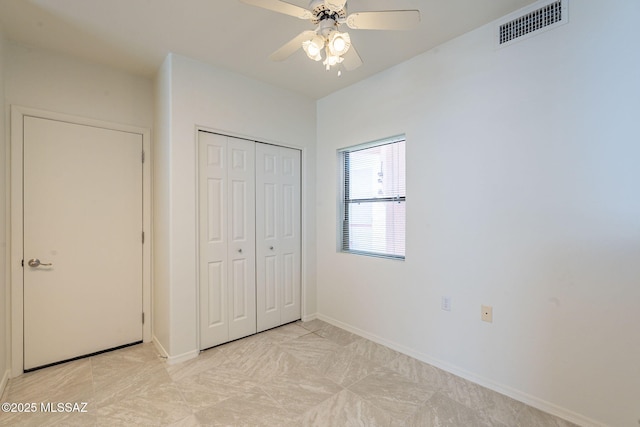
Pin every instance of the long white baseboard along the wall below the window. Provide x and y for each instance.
(518, 395)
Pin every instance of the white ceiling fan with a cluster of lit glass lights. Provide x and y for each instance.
(326, 42)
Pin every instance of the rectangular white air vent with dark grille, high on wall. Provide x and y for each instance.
(533, 22)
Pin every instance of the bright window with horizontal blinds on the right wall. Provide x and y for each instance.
(373, 199)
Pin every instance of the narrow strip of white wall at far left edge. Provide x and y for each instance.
(4, 171)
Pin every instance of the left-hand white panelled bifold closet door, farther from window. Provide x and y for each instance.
(227, 238)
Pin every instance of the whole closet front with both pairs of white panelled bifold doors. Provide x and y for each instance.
(249, 237)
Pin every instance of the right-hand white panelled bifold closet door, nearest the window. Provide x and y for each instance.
(278, 236)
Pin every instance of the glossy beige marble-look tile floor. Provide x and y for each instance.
(301, 374)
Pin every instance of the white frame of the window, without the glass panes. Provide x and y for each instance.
(344, 201)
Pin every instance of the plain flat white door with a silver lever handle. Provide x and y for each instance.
(83, 215)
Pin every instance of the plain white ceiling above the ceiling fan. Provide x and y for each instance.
(136, 35)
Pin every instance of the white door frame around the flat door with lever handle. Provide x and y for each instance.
(16, 213)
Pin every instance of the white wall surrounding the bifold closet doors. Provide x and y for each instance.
(203, 95)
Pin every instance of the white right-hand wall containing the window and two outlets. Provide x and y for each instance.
(523, 180)
